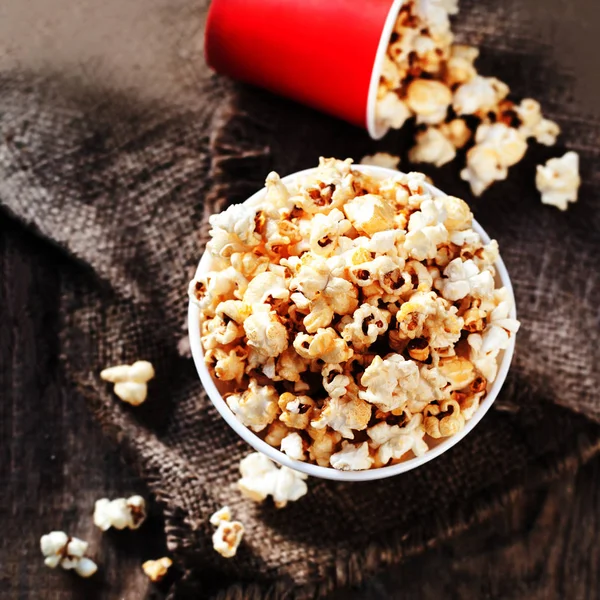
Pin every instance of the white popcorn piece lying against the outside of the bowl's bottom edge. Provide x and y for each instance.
(261, 478)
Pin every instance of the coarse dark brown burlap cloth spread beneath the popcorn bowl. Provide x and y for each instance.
(123, 182)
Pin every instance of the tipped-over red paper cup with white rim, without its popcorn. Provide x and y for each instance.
(327, 54)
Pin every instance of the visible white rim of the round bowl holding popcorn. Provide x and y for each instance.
(329, 472)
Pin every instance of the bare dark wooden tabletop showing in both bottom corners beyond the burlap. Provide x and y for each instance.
(54, 463)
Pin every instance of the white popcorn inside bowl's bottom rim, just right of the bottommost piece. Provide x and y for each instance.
(393, 442)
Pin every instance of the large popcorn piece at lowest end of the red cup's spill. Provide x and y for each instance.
(497, 147)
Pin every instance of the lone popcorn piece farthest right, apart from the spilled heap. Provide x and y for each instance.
(558, 180)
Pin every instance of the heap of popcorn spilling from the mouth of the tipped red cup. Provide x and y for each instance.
(426, 76)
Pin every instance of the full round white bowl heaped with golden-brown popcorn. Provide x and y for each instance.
(351, 322)
